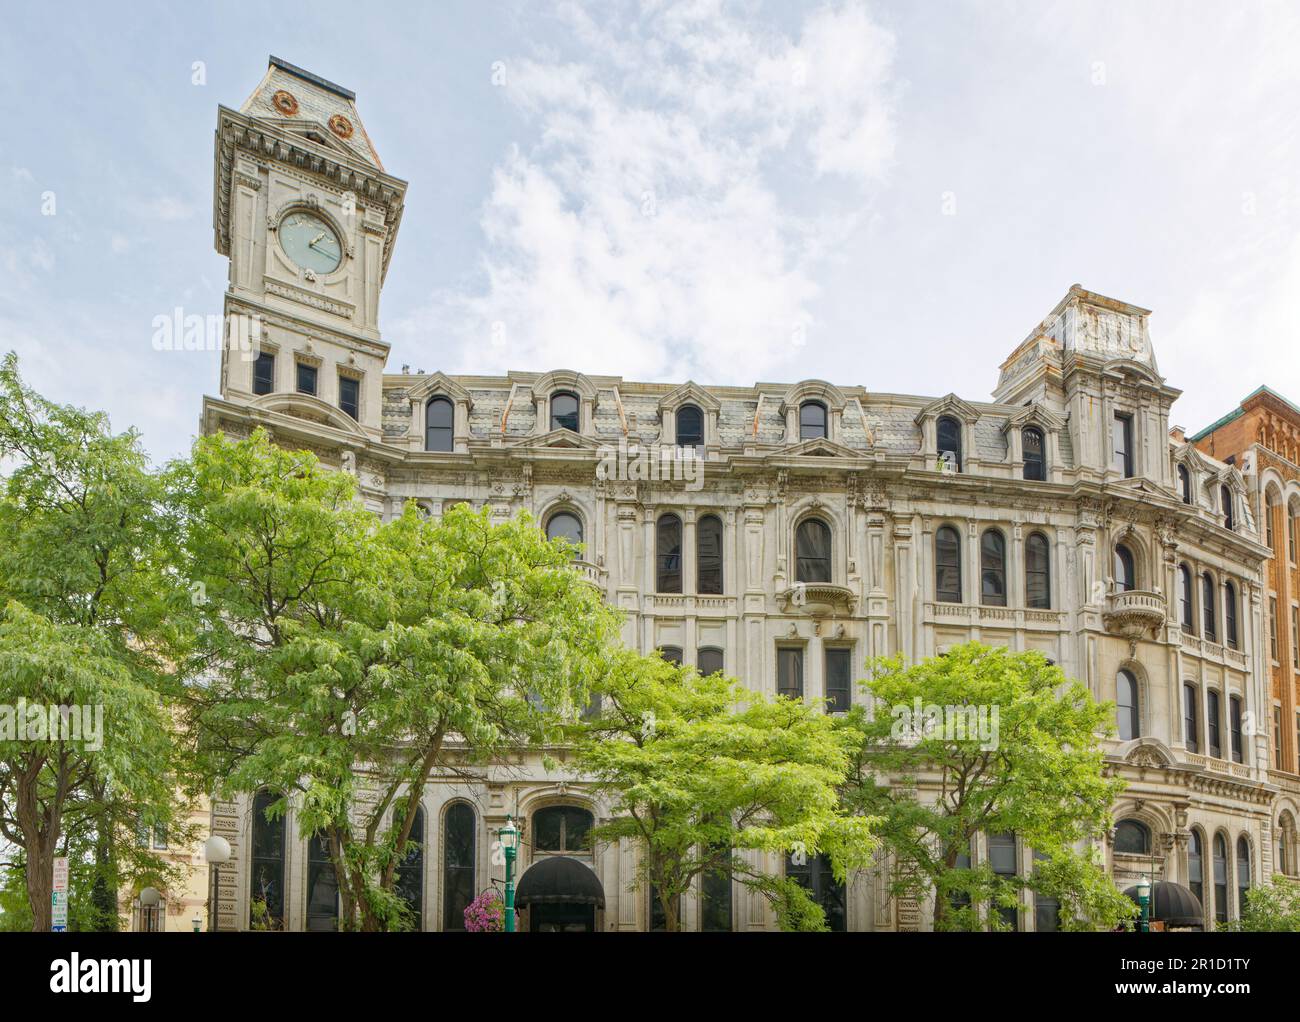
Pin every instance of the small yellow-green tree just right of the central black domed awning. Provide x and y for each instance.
(699, 770)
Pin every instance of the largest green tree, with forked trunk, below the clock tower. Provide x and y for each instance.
(341, 661)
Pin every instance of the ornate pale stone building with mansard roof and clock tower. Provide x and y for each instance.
(783, 532)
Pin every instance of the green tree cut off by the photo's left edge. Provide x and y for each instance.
(84, 599)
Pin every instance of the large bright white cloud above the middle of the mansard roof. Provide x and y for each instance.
(645, 235)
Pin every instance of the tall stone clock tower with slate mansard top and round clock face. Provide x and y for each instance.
(307, 216)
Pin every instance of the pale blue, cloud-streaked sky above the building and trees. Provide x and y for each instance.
(879, 194)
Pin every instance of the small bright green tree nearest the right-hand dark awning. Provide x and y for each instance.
(986, 740)
